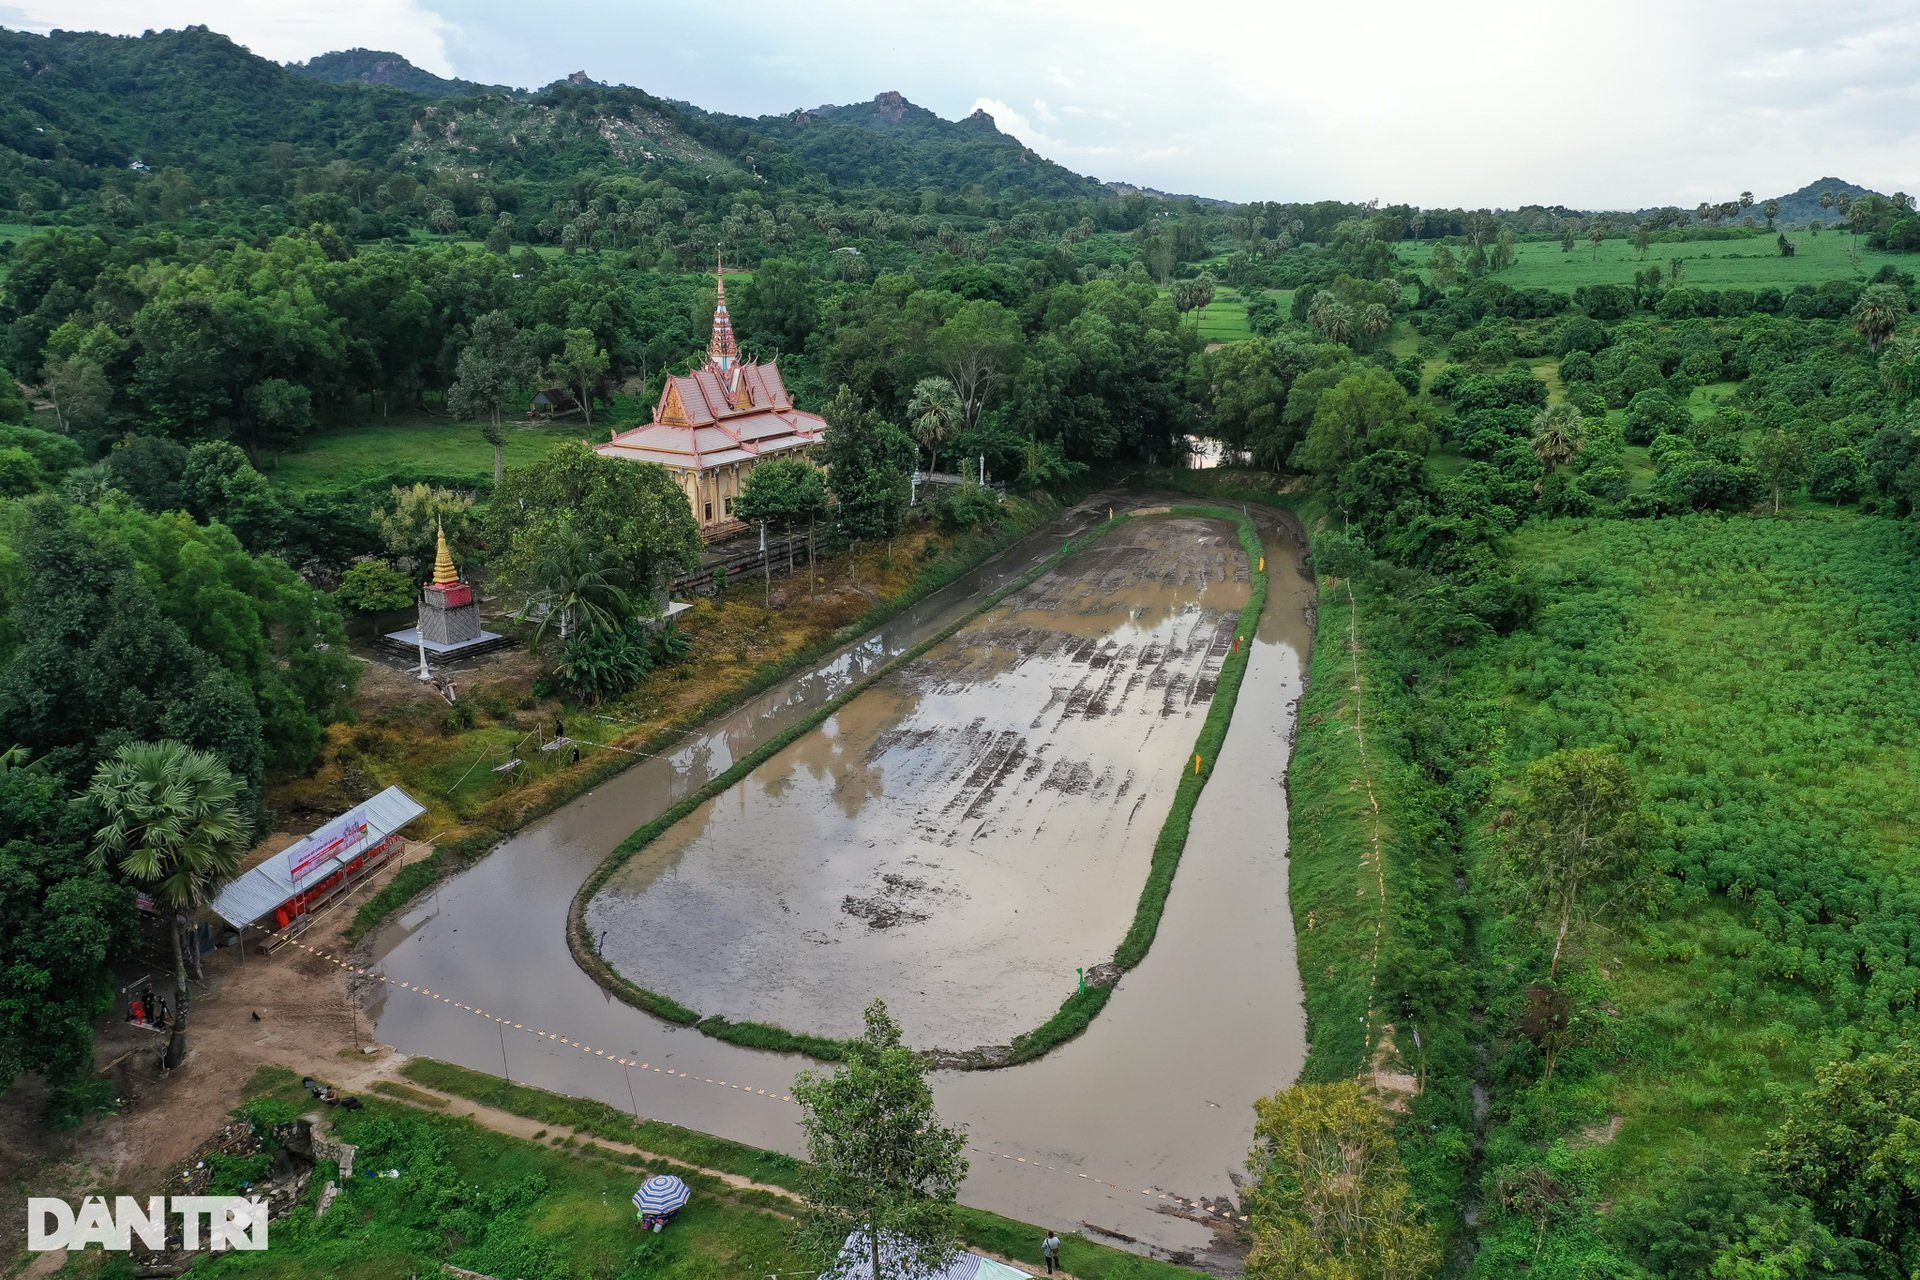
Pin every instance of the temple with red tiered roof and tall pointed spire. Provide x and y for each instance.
(715, 423)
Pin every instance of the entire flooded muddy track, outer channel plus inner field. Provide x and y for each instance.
(1101, 1135)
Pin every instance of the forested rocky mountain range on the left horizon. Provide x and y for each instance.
(80, 107)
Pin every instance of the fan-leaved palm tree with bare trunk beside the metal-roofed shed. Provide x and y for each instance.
(176, 824)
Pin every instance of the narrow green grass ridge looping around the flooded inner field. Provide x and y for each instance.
(1082, 1007)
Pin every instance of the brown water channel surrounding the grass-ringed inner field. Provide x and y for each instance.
(1157, 1097)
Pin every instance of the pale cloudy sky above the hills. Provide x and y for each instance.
(1477, 103)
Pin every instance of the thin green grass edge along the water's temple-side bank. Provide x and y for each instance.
(418, 878)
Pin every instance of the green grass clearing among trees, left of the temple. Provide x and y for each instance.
(375, 456)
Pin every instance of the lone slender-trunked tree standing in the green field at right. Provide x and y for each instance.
(1577, 845)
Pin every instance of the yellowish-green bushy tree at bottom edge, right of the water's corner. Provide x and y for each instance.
(1330, 1198)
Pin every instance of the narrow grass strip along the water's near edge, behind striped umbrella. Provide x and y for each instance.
(978, 1229)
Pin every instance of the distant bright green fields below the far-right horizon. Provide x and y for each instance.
(1716, 264)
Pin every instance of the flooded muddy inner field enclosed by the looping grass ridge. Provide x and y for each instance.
(963, 836)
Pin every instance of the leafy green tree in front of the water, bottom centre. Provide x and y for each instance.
(878, 1158)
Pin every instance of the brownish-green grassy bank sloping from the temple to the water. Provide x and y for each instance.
(742, 646)
